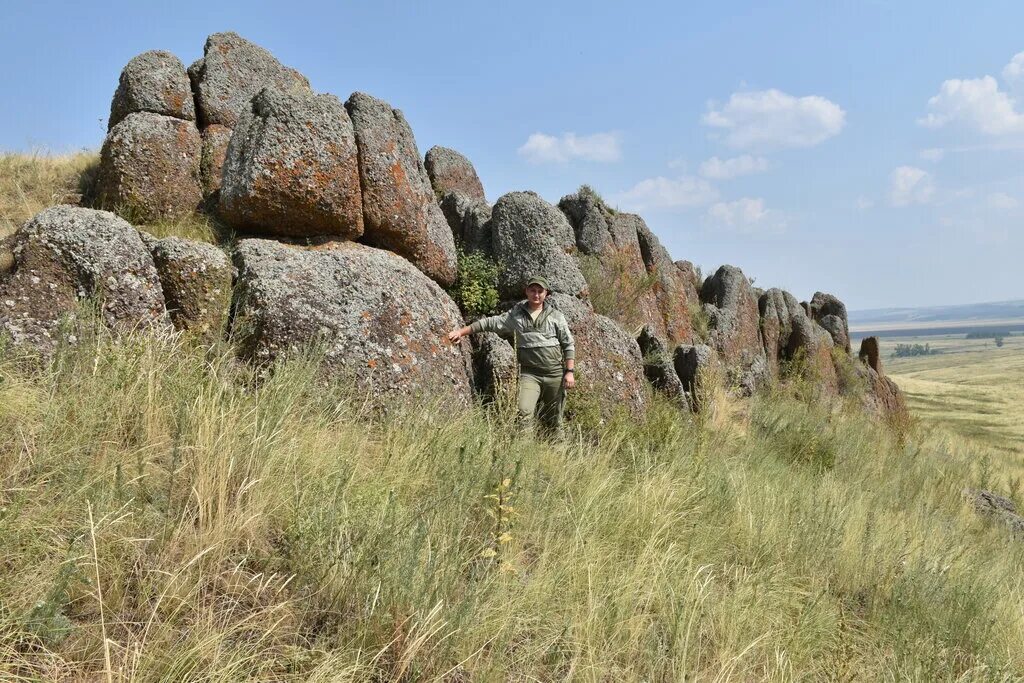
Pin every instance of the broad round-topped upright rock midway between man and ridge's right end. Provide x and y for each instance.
(735, 326)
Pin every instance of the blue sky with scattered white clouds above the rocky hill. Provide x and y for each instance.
(872, 150)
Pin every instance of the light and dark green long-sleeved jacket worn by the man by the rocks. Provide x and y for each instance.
(542, 347)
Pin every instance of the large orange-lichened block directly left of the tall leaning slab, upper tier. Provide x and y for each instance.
(292, 168)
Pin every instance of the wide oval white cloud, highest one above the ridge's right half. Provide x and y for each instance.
(772, 119)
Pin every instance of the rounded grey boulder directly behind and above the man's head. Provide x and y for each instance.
(533, 238)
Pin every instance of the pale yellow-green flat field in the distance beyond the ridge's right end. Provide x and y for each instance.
(971, 388)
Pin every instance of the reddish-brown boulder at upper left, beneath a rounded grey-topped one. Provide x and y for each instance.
(150, 167)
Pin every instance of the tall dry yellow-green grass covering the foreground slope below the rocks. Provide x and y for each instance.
(166, 515)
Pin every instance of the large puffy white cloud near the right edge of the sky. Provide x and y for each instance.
(977, 104)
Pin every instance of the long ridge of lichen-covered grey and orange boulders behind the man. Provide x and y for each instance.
(246, 139)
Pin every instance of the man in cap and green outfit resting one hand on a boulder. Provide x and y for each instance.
(545, 351)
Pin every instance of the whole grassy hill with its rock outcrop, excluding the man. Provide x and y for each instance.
(235, 446)
